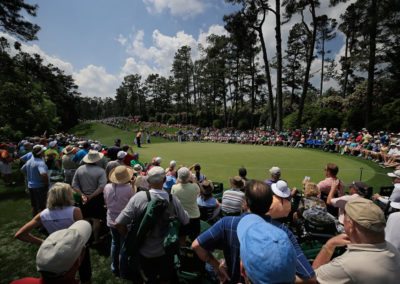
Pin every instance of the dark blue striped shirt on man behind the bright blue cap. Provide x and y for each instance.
(223, 235)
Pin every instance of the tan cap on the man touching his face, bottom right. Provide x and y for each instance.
(366, 213)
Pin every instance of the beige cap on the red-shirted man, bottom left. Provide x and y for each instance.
(62, 248)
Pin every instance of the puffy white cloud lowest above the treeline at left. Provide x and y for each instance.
(94, 81)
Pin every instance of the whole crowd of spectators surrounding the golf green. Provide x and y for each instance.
(258, 225)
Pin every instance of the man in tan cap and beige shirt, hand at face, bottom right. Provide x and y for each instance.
(369, 258)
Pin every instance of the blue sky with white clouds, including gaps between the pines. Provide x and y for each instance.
(101, 41)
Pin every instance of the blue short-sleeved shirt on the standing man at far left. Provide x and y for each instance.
(33, 169)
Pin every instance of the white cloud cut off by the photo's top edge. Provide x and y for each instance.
(183, 8)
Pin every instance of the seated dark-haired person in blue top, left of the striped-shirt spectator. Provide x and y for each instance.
(208, 205)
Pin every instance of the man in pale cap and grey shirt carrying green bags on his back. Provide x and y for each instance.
(155, 263)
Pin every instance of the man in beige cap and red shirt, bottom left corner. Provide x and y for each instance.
(60, 255)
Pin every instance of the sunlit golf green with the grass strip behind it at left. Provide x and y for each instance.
(220, 160)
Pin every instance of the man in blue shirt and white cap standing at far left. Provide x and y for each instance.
(36, 172)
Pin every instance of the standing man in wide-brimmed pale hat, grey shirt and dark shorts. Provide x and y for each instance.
(89, 180)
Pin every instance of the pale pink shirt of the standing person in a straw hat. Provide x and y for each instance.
(116, 196)
